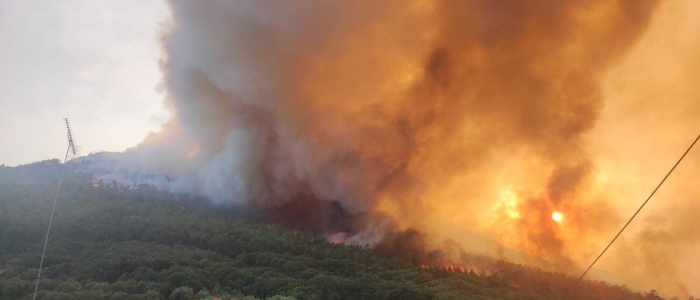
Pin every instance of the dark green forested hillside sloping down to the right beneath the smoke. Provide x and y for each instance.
(114, 242)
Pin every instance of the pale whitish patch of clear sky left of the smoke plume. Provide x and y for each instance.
(95, 62)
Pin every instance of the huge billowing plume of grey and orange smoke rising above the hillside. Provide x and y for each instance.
(402, 123)
